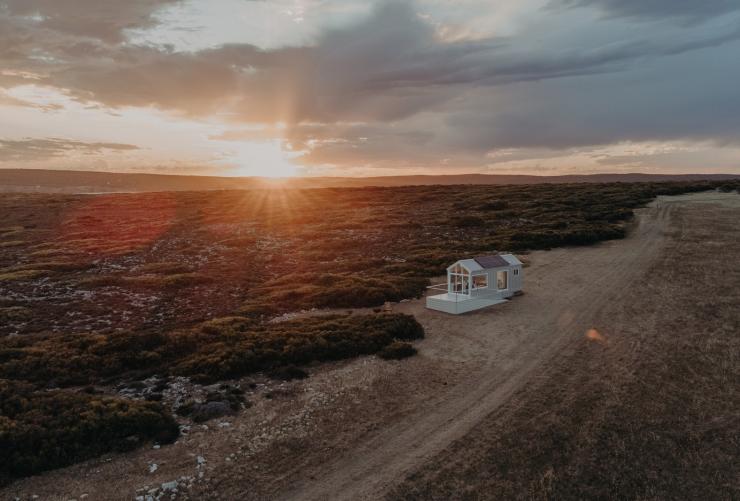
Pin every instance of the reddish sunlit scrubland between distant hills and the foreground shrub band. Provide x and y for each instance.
(165, 260)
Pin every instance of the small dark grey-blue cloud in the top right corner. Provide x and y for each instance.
(689, 11)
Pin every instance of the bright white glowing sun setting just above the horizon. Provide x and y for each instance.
(264, 159)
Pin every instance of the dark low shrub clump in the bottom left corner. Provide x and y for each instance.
(41, 430)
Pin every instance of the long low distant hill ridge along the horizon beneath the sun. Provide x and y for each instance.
(56, 181)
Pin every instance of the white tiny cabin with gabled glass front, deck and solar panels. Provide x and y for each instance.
(479, 282)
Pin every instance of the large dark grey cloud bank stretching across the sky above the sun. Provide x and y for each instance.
(389, 67)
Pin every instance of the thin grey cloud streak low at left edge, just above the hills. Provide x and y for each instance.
(36, 149)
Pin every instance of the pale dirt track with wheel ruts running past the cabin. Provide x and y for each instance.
(501, 349)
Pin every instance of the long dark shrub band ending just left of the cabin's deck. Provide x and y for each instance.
(213, 351)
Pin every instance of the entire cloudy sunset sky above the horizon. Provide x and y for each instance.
(363, 88)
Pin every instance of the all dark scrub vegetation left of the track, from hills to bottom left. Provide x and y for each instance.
(95, 290)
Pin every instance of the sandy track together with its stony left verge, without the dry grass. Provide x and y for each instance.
(354, 430)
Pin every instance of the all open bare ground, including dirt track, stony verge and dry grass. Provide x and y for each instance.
(616, 371)
